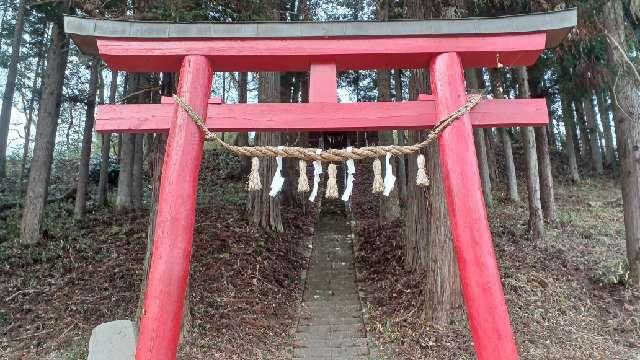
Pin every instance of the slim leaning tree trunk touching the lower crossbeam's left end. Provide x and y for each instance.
(80, 209)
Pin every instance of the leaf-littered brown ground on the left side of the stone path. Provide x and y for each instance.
(245, 282)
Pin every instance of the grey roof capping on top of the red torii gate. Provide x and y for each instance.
(86, 31)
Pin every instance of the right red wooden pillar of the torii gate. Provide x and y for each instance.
(481, 285)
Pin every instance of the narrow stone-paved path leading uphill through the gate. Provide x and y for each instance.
(331, 325)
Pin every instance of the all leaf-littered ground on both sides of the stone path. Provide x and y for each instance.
(566, 294)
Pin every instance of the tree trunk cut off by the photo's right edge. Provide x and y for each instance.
(626, 109)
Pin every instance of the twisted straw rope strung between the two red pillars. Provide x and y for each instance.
(310, 154)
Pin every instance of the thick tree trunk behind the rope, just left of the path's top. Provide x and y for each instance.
(264, 210)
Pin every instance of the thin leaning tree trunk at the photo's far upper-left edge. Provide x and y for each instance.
(10, 86)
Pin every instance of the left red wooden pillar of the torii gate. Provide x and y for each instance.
(169, 272)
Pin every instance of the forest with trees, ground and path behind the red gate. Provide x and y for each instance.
(78, 207)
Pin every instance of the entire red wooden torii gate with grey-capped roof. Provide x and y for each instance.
(196, 50)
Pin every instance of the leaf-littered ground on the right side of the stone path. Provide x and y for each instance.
(566, 294)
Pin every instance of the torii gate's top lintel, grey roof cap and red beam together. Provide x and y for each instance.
(260, 46)
